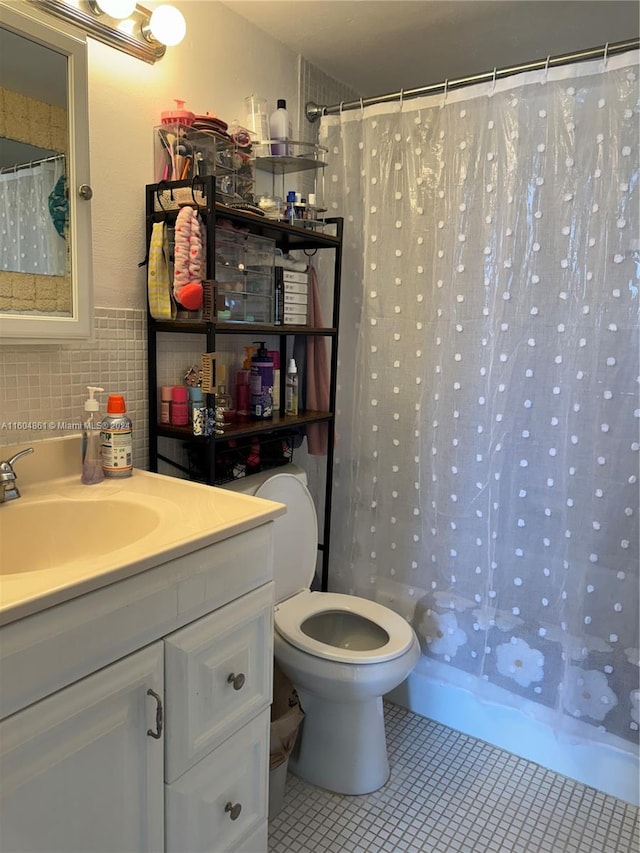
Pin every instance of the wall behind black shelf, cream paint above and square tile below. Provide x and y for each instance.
(222, 59)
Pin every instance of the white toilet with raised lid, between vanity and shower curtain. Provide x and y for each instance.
(341, 652)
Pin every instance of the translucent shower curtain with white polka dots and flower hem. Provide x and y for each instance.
(487, 457)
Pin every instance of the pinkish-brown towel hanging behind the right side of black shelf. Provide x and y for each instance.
(317, 372)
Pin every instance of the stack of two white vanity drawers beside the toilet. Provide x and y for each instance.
(218, 686)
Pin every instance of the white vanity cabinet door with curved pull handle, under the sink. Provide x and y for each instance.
(78, 772)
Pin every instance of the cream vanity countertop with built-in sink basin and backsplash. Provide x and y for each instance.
(62, 539)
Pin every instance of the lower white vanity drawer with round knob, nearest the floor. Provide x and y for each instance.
(201, 808)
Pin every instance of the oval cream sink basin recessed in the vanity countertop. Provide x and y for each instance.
(46, 534)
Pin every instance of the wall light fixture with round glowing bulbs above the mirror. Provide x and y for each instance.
(123, 24)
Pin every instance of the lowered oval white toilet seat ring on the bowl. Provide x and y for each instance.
(292, 613)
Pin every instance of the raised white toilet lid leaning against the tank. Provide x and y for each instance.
(295, 547)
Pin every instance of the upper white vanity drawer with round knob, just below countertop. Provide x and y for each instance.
(218, 675)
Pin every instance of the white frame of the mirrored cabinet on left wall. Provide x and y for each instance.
(26, 328)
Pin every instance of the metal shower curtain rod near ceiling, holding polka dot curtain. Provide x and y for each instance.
(315, 111)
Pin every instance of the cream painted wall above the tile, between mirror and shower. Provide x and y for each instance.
(222, 59)
